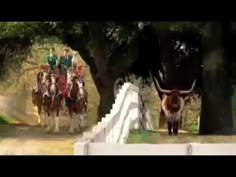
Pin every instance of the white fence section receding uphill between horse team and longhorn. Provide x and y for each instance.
(127, 113)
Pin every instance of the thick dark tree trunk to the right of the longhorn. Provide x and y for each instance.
(216, 112)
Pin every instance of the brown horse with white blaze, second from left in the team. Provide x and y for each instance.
(52, 101)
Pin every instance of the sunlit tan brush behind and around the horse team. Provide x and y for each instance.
(19, 85)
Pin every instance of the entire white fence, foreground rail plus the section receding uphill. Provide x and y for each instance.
(109, 136)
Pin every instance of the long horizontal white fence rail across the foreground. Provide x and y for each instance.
(154, 149)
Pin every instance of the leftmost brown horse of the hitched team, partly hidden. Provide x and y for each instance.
(37, 96)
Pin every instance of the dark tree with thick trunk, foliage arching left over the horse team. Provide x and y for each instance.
(105, 47)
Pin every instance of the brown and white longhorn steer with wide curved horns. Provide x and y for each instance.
(172, 104)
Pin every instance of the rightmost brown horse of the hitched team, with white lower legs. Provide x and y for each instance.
(75, 103)
